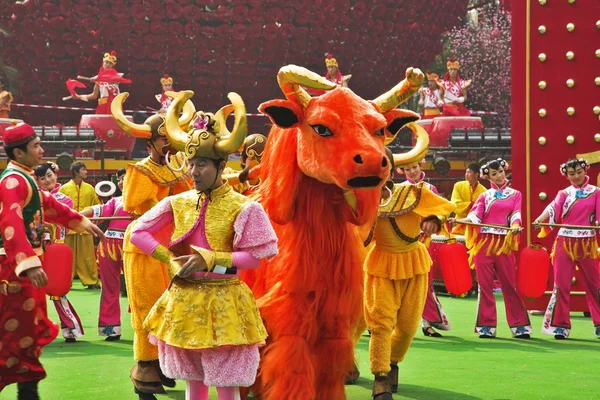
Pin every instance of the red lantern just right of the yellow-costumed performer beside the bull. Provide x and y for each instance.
(455, 268)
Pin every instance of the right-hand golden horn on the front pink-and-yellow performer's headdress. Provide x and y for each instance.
(229, 142)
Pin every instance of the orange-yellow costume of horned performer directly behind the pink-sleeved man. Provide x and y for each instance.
(147, 278)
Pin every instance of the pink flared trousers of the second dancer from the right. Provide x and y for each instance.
(516, 314)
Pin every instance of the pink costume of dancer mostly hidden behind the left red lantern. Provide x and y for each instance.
(70, 323)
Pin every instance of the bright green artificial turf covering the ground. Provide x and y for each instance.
(458, 366)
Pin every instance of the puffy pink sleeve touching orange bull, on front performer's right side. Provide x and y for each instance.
(254, 233)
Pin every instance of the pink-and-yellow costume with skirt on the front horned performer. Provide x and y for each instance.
(211, 352)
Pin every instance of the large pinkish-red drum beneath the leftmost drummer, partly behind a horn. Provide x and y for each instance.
(105, 128)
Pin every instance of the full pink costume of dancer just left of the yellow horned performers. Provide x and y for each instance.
(110, 260)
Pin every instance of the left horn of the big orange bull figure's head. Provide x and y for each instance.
(291, 77)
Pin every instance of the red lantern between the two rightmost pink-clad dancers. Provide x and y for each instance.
(532, 274)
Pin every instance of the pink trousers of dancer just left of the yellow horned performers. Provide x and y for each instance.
(109, 319)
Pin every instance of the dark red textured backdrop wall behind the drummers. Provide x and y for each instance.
(214, 47)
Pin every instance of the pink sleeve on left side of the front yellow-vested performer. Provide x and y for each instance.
(142, 234)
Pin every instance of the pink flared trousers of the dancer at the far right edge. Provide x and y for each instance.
(557, 320)
